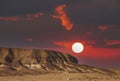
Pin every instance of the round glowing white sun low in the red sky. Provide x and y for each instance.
(77, 47)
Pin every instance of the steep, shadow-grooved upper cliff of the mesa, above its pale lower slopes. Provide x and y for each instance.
(24, 56)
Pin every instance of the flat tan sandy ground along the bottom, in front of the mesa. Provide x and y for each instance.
(62, 77)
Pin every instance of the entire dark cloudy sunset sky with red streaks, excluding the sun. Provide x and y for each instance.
(57, 24)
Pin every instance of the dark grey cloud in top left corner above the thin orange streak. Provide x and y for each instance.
(19, 7)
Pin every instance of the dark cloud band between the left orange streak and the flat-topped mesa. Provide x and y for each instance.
(43, 31)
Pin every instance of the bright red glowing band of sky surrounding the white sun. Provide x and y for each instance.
(89, 50)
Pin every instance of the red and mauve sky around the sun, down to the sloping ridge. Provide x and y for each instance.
(101, 57)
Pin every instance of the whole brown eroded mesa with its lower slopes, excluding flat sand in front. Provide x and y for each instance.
(16, 60)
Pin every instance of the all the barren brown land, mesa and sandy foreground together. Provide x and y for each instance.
(45, 65)
